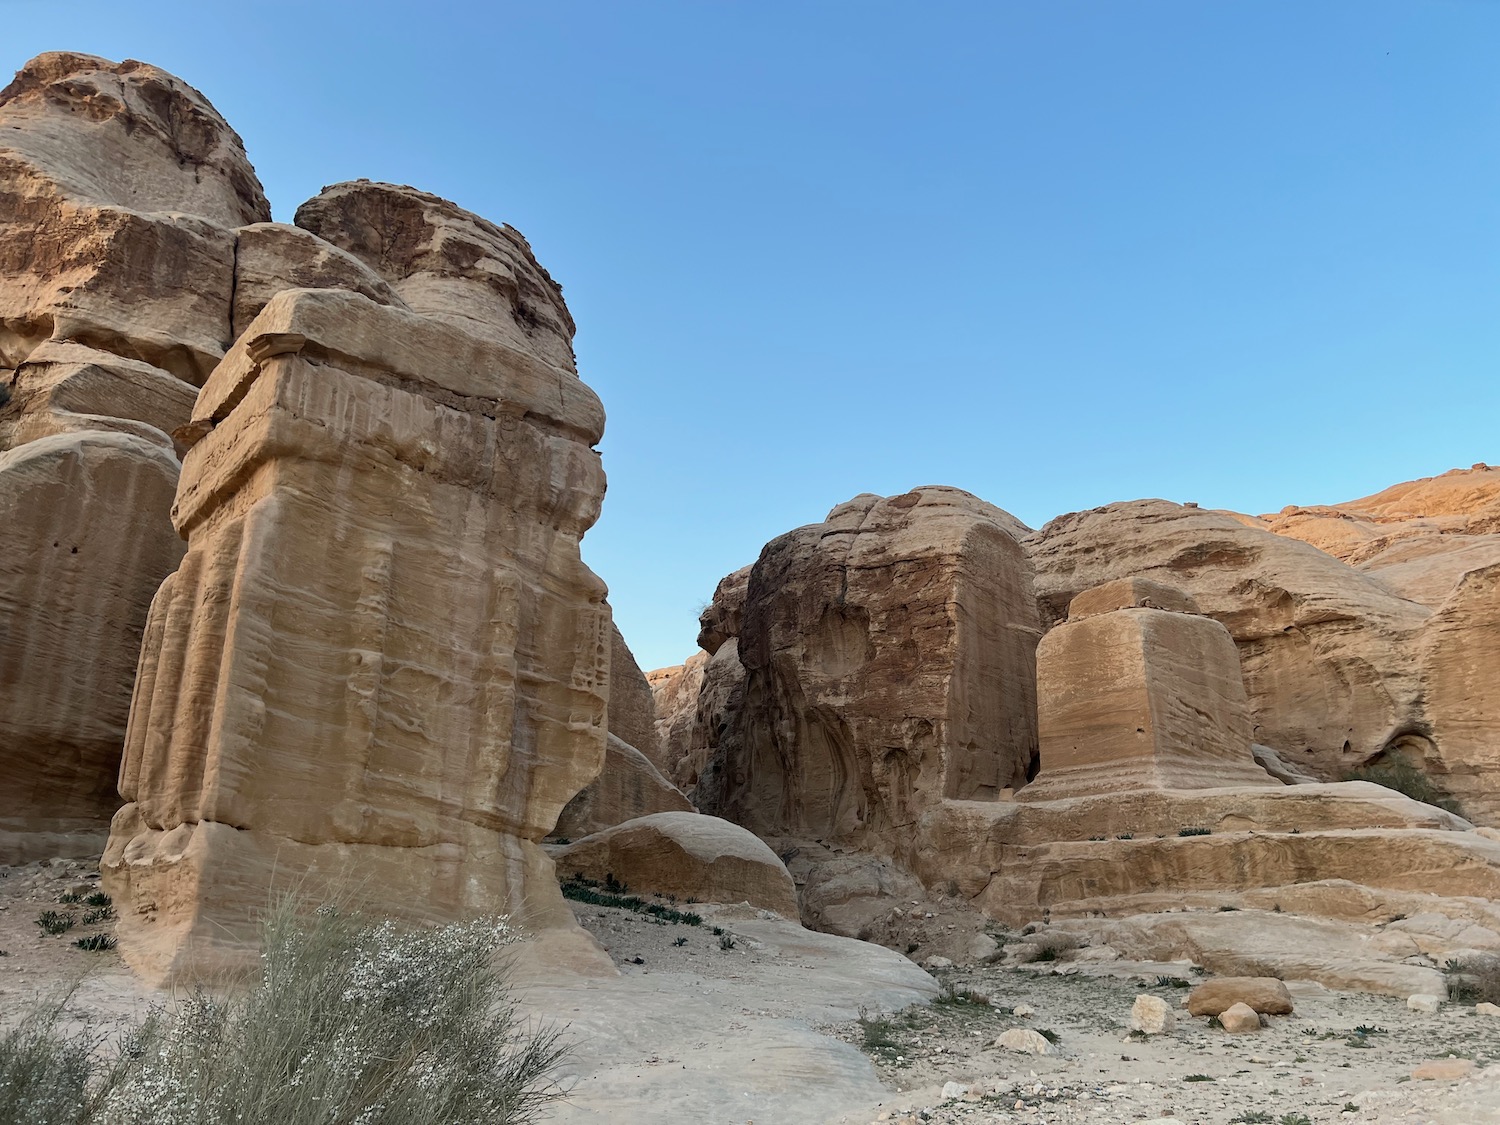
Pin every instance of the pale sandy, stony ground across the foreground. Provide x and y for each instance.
(760, 1024)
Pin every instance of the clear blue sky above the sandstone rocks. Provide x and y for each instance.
(1057, 253)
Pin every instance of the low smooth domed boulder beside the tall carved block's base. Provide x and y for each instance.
(688, 856)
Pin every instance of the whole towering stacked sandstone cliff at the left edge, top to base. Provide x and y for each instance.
(121, 191)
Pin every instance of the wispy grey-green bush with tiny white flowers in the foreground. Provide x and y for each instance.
(352, 1024)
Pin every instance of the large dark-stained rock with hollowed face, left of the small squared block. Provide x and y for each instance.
(889, 659)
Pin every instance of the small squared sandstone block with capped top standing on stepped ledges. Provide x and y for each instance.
(1141, 698)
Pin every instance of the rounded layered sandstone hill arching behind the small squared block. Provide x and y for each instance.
(1327, 652)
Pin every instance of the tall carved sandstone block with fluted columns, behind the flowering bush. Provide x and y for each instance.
(383, 652)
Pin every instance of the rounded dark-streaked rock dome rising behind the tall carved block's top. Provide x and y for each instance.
(449, 265)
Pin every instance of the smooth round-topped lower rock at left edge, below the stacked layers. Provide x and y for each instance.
(73, 610)
